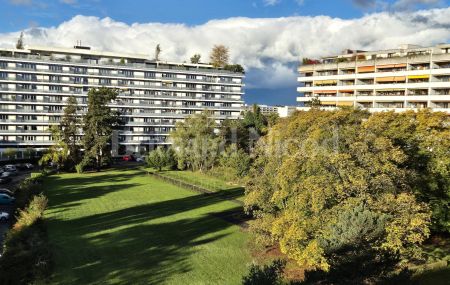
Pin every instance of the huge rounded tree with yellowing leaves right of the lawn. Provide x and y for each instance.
(312, 169)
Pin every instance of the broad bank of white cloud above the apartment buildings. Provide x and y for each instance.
(269, 48)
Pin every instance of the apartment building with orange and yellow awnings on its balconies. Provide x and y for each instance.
(410, 77)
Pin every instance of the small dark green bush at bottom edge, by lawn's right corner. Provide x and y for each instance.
(270, 274)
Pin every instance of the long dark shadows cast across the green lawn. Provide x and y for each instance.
(128, 246)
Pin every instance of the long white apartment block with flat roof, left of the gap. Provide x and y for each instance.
(153, 95)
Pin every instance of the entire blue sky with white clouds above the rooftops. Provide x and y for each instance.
(268, 37)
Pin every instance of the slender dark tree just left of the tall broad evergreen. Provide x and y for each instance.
(70, 123)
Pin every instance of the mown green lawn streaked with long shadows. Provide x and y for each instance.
(125, 227)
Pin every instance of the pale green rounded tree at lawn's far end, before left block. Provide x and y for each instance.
(195, 143)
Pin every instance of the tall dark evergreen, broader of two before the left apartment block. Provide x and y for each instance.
(98, 125)
